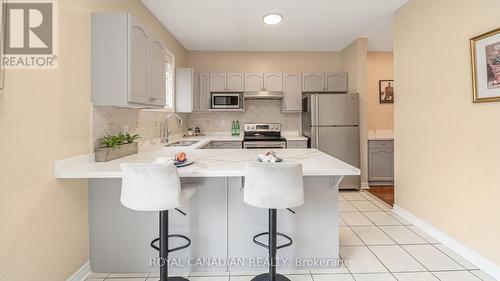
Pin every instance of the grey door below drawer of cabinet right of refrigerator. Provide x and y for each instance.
(381, 164)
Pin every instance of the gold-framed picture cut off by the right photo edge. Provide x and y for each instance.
(485, 59)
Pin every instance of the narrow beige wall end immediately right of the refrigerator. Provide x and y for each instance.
(354, 62)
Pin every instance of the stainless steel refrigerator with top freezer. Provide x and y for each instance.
(331, 122)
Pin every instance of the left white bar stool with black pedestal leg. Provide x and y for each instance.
(156, 187)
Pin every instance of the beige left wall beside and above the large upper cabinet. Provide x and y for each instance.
(45, 115)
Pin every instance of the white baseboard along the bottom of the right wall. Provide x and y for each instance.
(470, 255)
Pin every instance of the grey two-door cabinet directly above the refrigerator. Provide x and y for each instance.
(324, 82)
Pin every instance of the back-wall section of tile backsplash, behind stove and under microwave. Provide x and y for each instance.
(256, 111)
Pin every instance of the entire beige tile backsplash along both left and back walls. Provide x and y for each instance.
(147, 123)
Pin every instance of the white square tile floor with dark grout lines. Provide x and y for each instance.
(380, 245)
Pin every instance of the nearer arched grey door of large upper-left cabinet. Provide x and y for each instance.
(138, 63)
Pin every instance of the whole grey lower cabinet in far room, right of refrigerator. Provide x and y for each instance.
(380, 162)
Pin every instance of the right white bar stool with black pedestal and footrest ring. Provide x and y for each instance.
(273, 186)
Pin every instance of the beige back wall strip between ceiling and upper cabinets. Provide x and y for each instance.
(264, 61)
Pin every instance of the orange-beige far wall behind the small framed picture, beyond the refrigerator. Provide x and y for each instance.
(380, 67)
